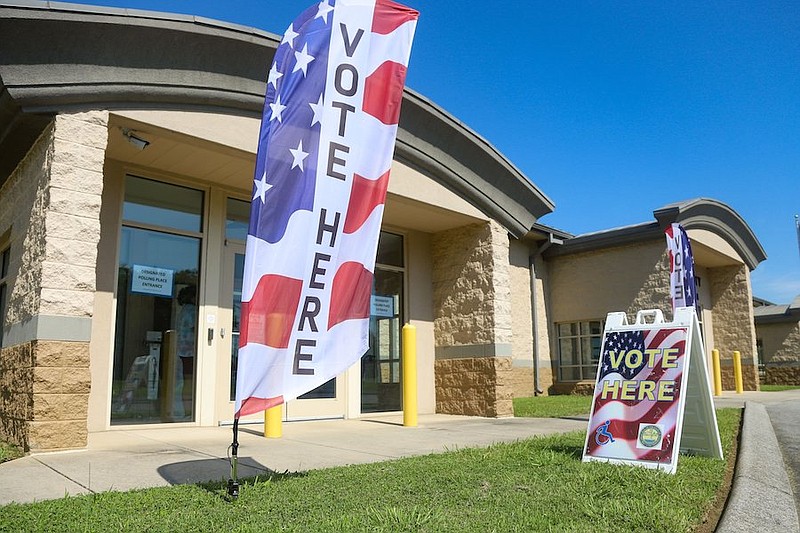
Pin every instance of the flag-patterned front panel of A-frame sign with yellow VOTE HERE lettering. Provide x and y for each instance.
(636, 406)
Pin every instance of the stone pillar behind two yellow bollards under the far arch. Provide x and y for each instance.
(734, 329)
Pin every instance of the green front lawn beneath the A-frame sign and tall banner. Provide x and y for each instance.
(537, 484)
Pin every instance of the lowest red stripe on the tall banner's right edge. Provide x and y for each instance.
(352, 287)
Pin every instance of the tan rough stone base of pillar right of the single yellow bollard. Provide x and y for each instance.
(474, 386)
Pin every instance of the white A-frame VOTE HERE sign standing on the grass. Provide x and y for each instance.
(652, 396)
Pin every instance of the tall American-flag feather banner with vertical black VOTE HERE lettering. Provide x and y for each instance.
(325, 150)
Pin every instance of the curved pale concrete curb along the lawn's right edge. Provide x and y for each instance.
(761, 498)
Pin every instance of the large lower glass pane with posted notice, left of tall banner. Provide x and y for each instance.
(156, 329)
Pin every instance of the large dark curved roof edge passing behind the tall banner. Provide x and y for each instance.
(65, 57)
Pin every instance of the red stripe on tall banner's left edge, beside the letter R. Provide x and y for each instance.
(269, 315)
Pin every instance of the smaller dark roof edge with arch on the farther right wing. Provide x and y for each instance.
(697, 214)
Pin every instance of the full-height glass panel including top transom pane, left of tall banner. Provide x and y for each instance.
(155, 345)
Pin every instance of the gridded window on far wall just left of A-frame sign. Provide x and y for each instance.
(579, 349)
